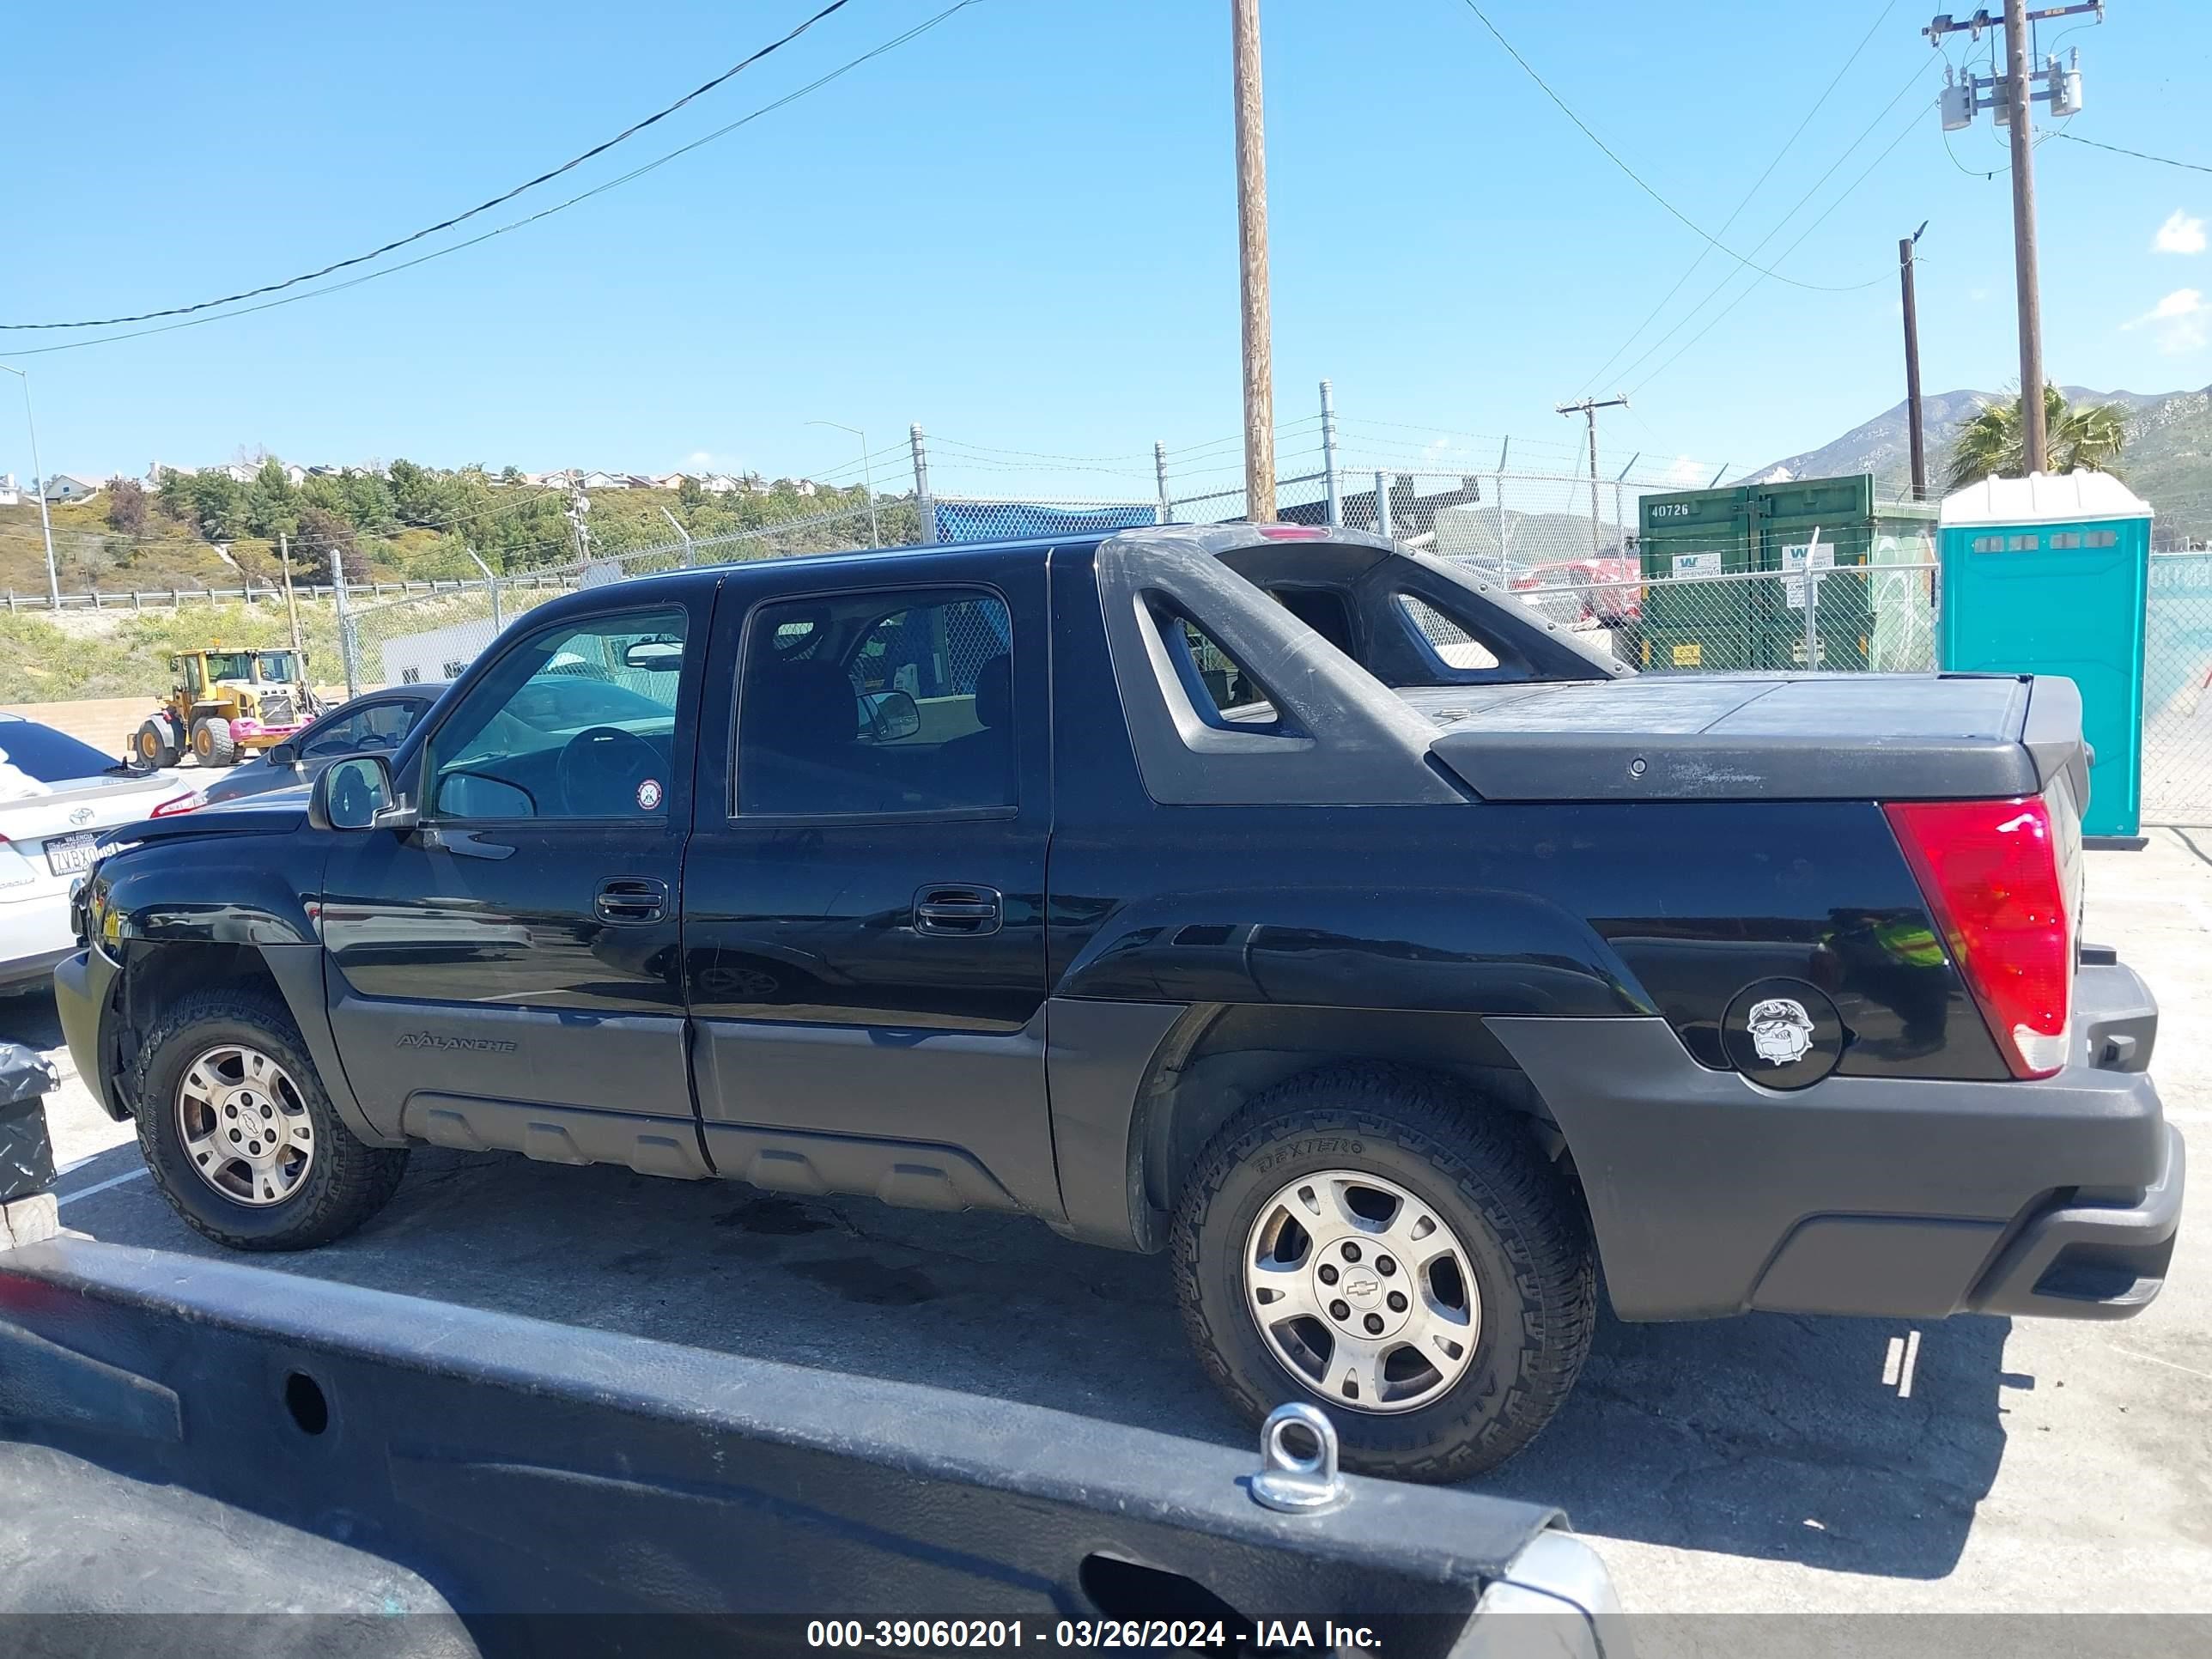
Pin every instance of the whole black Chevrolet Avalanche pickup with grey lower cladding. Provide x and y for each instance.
(1282, 899)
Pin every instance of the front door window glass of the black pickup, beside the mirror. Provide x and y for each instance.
(576, 722)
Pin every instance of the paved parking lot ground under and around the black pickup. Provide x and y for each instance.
(1764, 1463)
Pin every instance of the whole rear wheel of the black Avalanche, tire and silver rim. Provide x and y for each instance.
(1377, 1242)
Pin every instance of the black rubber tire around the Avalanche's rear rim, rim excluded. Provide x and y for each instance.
(1496, 1169)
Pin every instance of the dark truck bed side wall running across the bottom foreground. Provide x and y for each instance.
(510, 1468)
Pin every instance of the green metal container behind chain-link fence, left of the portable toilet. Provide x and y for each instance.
(1859, 623)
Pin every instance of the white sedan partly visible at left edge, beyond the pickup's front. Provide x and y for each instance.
(59, 797)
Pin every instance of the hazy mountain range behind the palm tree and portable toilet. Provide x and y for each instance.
(2169, 457)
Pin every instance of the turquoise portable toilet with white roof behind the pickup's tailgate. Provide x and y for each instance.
(2049, 576)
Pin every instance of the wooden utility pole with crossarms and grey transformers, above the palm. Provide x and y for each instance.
(2014, 94)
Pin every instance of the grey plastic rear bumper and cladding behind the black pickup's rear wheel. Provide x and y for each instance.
(1870, 1196)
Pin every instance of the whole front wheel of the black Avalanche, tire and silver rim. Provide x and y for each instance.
(240, 1134)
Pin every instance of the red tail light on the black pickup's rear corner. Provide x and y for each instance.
(1992, 875)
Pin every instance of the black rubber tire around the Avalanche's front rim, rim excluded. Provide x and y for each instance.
(357, 1180)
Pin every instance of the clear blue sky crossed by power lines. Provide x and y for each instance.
(1021, 231)
